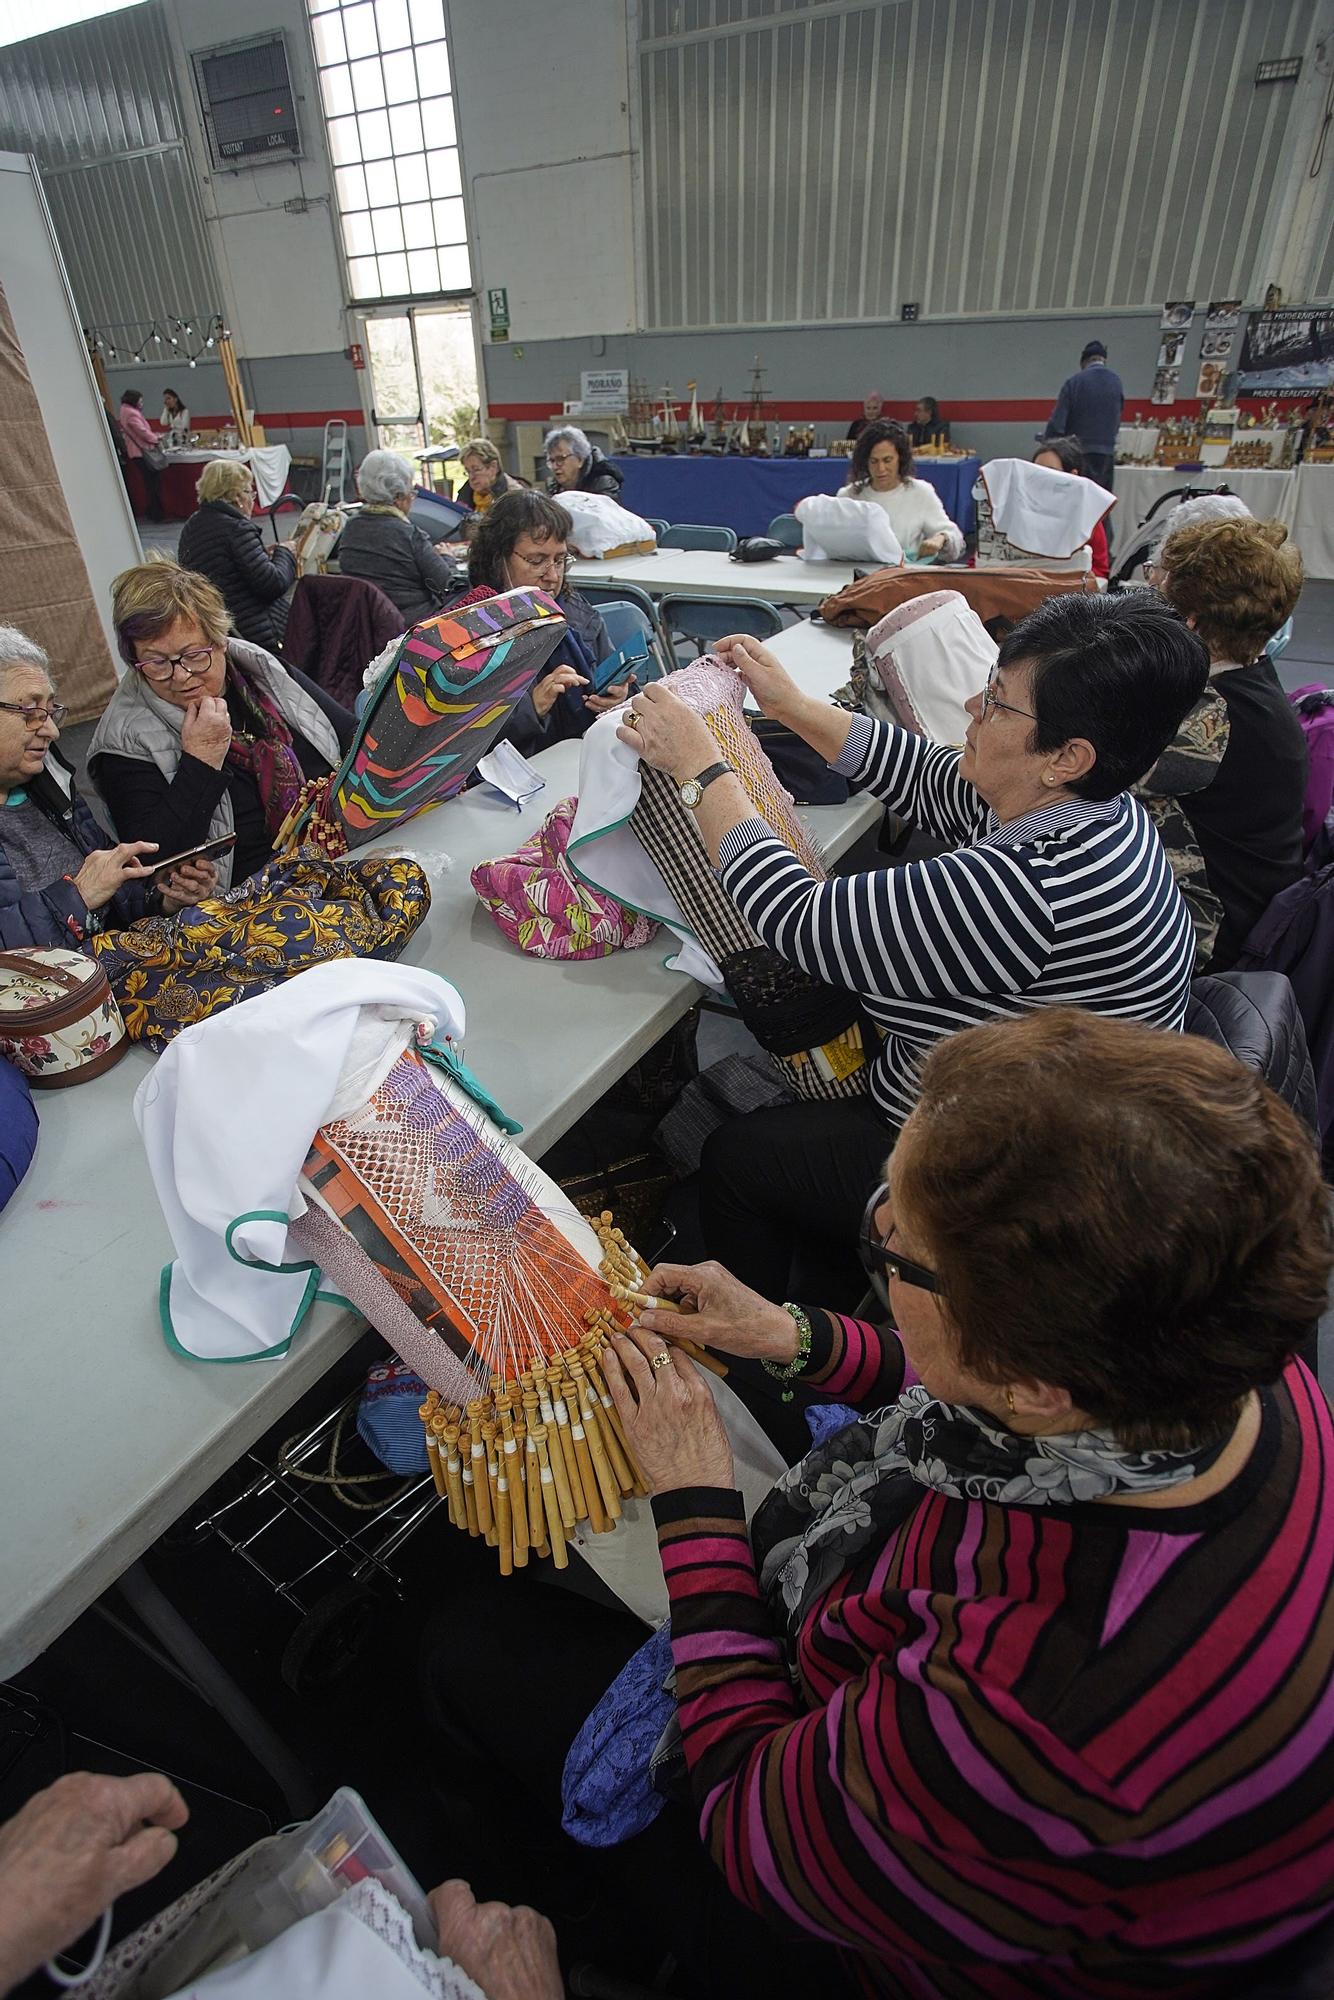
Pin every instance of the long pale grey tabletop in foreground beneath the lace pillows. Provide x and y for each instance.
(105, 1435)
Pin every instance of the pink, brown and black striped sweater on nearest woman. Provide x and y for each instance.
(1031, 1751)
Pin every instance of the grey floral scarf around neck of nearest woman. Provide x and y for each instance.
(851, 1493)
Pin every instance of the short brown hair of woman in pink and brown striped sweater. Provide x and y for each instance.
(1117, 1211)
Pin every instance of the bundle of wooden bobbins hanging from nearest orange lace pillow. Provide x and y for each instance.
(545, 1451)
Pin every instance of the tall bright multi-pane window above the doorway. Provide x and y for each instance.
(389, 113)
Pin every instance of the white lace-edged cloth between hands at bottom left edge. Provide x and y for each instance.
(361, 1947)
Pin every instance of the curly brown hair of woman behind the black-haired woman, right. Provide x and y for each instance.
(1237, 579)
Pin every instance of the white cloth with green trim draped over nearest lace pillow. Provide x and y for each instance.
(227, 1119)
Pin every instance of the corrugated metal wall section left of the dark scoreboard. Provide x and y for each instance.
(99, 109)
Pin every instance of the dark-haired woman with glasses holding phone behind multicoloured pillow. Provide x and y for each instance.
(521, 545)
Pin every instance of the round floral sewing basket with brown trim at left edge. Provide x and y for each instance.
(59, 1017)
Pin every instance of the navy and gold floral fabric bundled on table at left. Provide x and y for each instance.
(299, 911)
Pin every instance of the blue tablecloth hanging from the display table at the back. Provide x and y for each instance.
(749, 493)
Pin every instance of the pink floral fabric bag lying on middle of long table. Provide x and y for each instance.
(541, 907)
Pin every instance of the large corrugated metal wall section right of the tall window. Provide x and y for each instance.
(831, 161)
